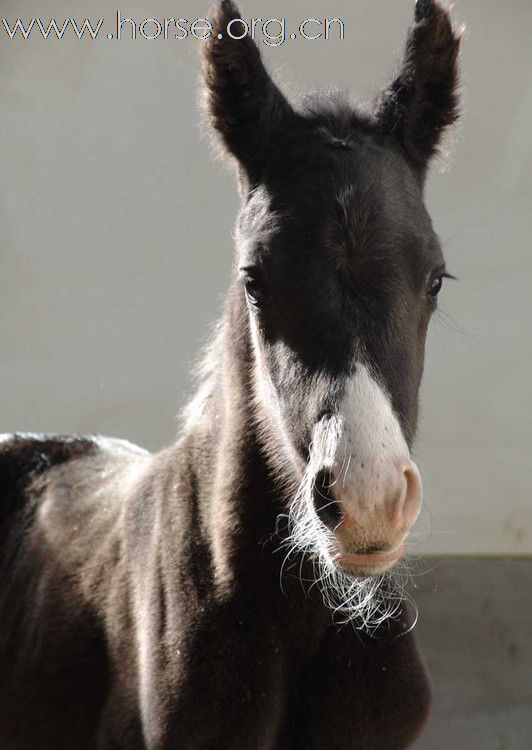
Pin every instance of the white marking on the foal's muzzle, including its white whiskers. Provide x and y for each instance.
(363, 447)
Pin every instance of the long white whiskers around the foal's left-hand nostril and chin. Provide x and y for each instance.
(364, 602)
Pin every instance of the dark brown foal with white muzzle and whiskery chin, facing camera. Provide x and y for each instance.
(167, 601)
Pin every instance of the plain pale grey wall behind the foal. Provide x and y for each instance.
(115, 239)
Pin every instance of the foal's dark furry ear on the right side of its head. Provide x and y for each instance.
(423, 100)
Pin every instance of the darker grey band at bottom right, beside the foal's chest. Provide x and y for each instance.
(475, 630)
